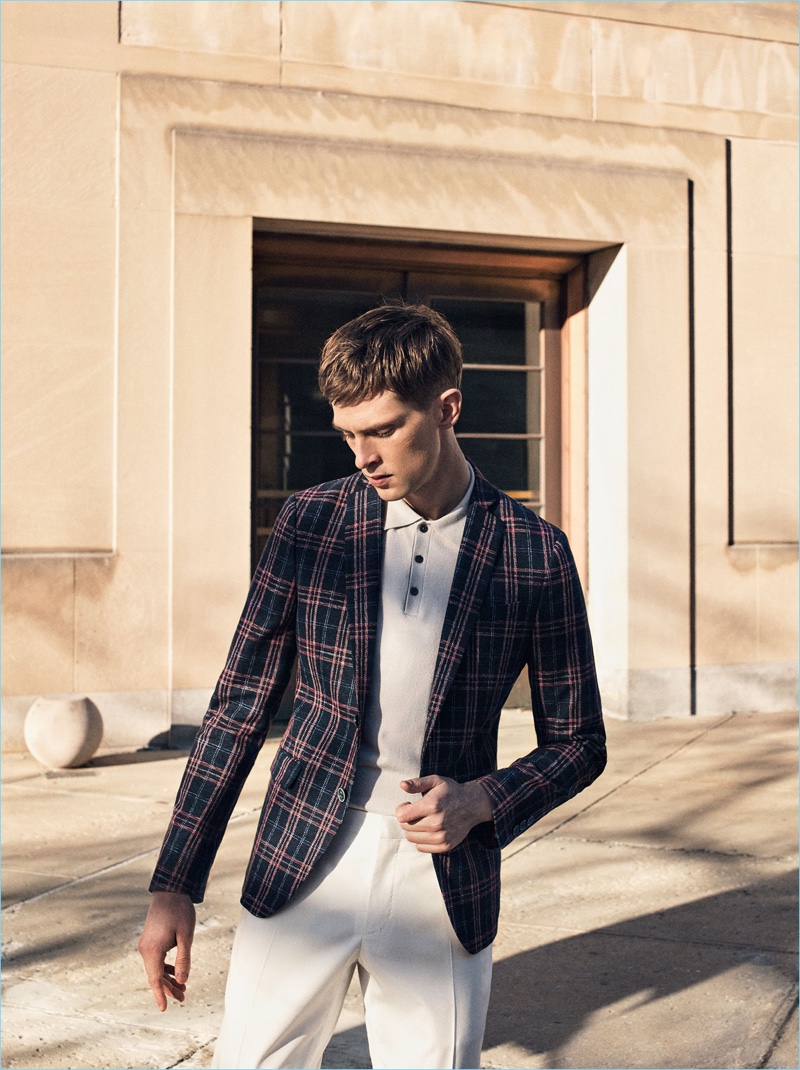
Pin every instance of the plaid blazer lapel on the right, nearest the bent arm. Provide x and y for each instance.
(478, 556)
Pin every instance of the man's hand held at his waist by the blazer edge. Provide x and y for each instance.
(441, 820)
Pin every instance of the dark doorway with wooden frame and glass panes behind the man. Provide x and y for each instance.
(505, 309)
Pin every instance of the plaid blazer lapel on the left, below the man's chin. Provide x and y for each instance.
(364, 544)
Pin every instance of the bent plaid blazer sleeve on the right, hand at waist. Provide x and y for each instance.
(566, 706)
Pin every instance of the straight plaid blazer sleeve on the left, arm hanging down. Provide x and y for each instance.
(245, 700)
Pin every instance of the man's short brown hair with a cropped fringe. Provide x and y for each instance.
(407, 349)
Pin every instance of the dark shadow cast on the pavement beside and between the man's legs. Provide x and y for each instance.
(543, 999)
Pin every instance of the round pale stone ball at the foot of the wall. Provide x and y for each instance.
(61, 733)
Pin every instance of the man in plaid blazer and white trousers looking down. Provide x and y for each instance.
(413, 594)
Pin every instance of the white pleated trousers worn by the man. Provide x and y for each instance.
(374, 904)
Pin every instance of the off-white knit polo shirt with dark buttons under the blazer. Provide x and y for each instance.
(419, 564)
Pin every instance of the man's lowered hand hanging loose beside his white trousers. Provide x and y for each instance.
(171, 923)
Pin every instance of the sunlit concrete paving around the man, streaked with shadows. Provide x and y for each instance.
(649, 923)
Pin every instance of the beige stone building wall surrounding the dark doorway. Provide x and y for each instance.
(141, 144)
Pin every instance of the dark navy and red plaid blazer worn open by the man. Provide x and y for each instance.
(516, 601)
